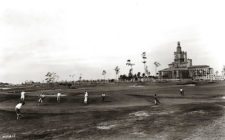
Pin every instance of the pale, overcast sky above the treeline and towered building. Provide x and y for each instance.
(86, 37)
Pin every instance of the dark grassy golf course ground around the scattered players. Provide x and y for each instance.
(127, 113)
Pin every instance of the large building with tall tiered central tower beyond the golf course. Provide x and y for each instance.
(182, 68)
